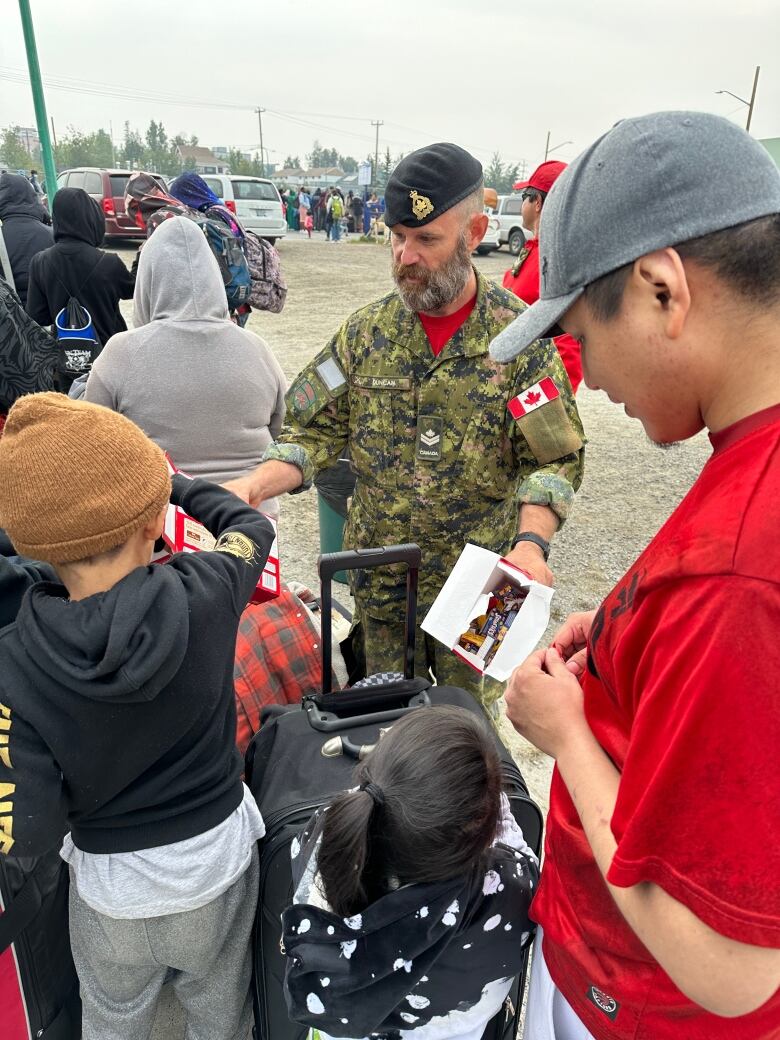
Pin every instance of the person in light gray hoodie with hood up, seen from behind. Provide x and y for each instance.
(210, 394)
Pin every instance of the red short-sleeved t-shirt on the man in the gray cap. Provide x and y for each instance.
(682, 692)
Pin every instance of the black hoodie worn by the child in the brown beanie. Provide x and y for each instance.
(120, 709)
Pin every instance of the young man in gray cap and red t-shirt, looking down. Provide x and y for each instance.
(660, 904)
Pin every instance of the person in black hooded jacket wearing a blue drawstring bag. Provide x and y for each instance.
(74, 267)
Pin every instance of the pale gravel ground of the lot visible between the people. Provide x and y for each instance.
(630, 489)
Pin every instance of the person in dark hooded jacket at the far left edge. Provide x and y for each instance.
(24, 229)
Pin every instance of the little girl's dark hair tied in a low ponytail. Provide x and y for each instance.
(427, 810)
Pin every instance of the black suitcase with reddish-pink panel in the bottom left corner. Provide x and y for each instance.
(39, 986)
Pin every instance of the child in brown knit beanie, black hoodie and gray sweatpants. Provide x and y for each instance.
(120, 717)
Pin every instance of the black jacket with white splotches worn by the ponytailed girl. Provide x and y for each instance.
(432, 960)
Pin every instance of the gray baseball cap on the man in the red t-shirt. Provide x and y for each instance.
(648, 184)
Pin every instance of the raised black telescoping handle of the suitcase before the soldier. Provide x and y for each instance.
(353, 560)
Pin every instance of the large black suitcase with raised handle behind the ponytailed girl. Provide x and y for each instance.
(304, 756)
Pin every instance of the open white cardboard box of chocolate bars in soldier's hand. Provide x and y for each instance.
(466, 594)
